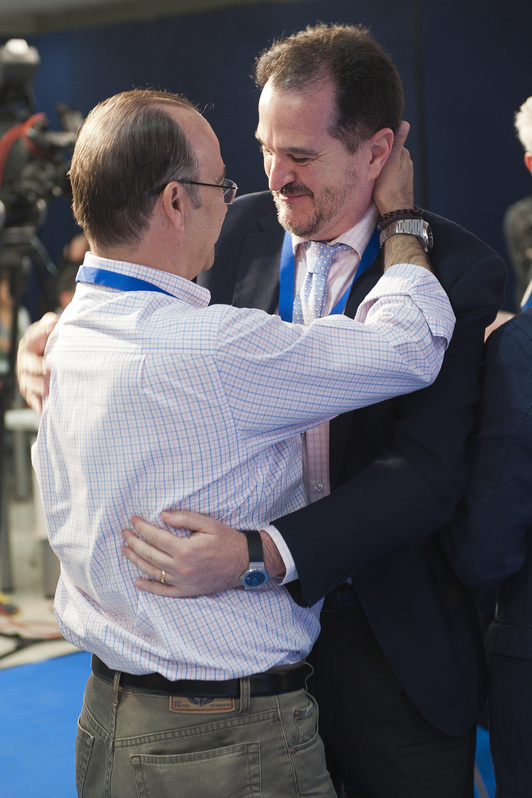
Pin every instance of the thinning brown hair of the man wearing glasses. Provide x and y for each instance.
(127, 146)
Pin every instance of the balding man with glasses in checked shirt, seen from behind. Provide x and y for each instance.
(159, 400)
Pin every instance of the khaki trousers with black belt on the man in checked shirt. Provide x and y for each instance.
(132, 743)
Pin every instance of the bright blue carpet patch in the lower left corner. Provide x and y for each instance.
(39, 709)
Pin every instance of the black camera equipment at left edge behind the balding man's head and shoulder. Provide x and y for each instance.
(34, 163)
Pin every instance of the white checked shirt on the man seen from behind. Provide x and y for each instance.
(161, 402)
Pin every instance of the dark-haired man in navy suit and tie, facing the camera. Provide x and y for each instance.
(399, 664)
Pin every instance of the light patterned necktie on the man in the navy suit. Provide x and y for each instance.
(309, 304)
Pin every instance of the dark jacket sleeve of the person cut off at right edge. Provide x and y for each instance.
(486, 540)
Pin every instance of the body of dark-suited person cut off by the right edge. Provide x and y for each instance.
(489, 542)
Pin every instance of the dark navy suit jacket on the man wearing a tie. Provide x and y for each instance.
(397, 471)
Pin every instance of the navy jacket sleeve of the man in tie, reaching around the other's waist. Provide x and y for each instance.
(404, 466)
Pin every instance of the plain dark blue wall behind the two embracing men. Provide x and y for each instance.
(466, 69)
